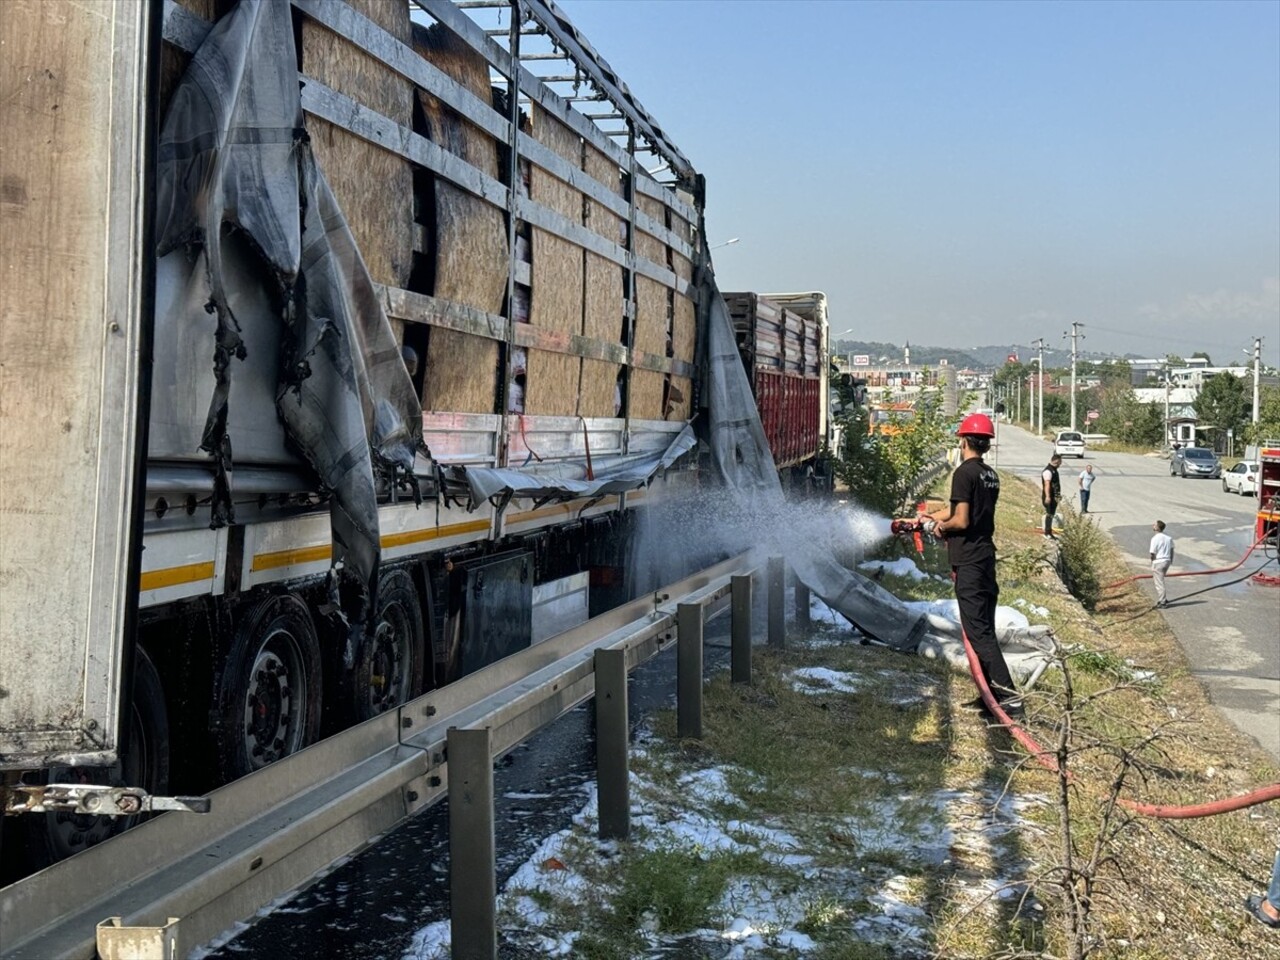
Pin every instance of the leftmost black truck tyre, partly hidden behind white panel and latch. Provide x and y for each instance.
(144, 764)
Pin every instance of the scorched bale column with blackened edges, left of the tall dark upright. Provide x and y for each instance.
(470, 237)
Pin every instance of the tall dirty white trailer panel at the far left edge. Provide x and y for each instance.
(71, 222)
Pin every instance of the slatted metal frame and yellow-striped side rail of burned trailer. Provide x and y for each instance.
(284, 543)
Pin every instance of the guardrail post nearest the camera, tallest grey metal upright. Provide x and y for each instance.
(473, 884)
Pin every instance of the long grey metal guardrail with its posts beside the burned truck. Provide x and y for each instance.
(177, 881)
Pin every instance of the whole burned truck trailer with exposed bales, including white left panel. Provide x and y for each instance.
(344, 356)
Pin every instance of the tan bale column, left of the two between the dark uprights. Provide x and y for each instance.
(557, 278)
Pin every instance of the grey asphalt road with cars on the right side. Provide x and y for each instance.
(1231, 632)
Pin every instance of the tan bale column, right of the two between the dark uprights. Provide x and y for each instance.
(605, 303)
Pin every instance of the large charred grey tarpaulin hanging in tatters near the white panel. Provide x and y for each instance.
(236, 173)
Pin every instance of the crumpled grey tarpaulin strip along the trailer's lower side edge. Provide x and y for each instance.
(563, 481)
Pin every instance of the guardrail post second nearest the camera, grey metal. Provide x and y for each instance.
(612, 758)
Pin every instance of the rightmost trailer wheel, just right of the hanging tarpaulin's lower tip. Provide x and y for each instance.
(391, 664)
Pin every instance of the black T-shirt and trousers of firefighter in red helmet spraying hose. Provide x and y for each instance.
(973, 568)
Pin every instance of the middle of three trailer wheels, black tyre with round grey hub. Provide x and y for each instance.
(269, 693)
